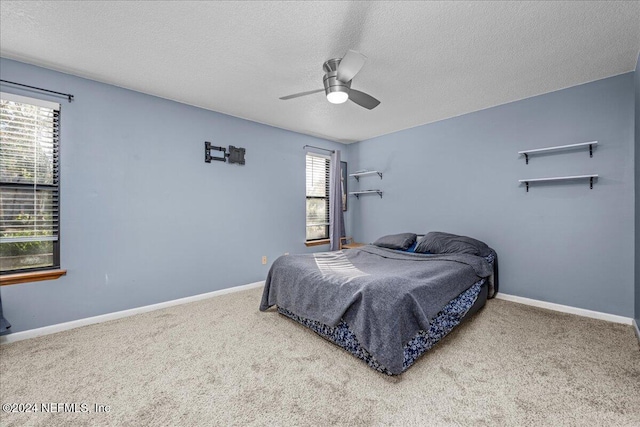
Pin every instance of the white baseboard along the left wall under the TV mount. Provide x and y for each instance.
(46, 330)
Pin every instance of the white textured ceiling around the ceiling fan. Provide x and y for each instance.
(427, 60)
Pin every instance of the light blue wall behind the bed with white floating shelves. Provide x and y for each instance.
(561, 243)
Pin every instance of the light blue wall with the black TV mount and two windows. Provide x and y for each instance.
(144, 219)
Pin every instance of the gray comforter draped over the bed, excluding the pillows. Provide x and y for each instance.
(385, 296)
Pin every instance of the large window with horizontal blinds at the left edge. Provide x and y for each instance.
(29, 187)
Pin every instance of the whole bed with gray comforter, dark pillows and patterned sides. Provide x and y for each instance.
(389, 302)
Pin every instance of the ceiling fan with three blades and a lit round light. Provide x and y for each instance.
(337, 81)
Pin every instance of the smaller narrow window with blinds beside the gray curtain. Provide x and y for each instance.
(317, 197)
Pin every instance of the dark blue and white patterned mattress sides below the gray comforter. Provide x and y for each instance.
(454, 313)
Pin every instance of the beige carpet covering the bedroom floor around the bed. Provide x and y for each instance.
(222, 362)
